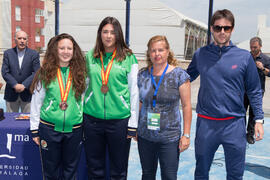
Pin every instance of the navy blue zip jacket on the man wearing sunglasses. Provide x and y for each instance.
(225, 75)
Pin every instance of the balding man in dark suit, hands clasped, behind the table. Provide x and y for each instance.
(19, 66)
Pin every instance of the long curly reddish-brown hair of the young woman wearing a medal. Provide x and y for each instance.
(50, 64)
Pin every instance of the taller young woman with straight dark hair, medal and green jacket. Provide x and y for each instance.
(111, 102)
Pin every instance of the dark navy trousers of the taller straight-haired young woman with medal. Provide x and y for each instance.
(99, 134)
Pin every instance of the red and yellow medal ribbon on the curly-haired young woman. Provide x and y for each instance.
(64, 93)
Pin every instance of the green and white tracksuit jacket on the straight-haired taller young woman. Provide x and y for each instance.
(122, 99)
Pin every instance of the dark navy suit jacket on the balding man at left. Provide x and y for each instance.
(13, 74)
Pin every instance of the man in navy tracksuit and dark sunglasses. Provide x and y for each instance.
(226, 74)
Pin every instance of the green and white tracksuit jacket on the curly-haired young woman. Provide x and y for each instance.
(45, 108)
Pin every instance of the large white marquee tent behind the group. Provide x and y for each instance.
(147, 18)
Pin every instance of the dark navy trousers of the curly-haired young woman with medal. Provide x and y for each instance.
(60, 152)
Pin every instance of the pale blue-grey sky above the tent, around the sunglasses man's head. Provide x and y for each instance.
(245, 11)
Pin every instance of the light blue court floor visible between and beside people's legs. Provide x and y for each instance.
(257, 158)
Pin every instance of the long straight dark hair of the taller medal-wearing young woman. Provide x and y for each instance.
(122, 49)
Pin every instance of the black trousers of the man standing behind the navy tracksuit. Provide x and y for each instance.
(251, 122)
